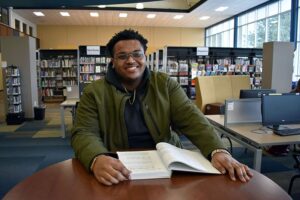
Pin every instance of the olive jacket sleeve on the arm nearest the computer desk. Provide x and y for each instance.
(191, 122)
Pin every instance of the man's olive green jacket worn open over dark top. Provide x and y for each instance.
(100, 125)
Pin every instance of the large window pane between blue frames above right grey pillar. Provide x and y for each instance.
(269, 23)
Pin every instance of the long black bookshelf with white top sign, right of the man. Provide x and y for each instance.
(185, 63)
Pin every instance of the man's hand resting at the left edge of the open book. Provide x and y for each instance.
(109, 170)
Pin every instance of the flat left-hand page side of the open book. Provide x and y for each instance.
(144, 164)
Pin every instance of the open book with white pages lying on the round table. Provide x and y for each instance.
(161, 162)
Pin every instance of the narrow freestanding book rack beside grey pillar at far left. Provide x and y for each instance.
(15, 114)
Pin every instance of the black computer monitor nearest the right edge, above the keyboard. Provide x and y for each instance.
(280, 109)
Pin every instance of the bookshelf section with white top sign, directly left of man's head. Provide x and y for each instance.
(93, 62)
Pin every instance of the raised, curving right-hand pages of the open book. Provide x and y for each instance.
(184, 160)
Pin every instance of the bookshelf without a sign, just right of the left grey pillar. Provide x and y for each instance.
(57, 70)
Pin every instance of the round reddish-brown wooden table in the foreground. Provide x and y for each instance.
(69, 180)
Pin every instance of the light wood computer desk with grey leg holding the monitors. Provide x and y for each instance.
(244, 134)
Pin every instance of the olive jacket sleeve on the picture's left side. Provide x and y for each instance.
(86, 140)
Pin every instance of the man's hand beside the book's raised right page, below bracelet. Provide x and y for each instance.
(225, 163)
